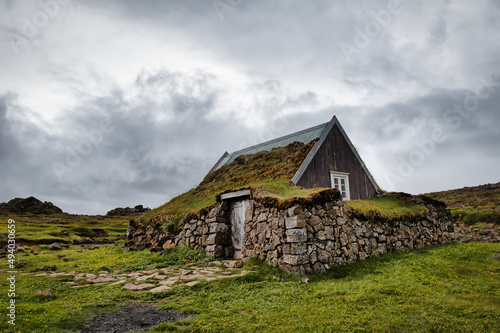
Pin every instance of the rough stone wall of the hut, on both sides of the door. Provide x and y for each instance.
(313, 234)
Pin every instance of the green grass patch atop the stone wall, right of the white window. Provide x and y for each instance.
(387, 205)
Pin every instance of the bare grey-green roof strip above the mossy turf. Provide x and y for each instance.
(304, 136)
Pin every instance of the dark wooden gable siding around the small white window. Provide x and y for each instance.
(335, 155)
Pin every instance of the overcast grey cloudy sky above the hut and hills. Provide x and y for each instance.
(115, 103)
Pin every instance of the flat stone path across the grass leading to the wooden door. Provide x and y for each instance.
(154, 280)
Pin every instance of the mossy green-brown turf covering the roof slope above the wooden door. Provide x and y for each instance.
(269, 171)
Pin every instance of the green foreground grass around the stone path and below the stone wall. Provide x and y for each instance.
(446, 288)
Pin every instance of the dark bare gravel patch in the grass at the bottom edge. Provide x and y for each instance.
(134, 317)
